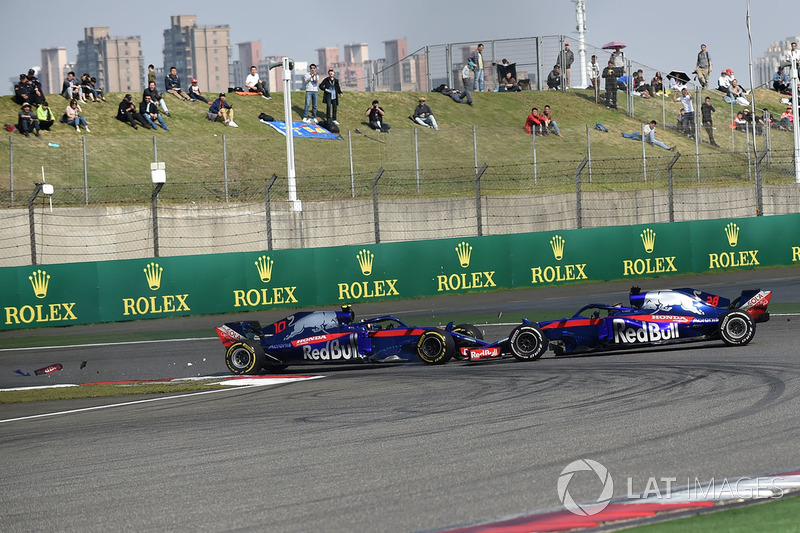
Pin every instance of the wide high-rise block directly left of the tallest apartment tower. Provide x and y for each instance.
(116, 62)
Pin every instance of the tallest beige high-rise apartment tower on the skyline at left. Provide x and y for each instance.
(202, 52)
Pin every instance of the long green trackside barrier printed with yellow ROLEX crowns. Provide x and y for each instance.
(109, 291)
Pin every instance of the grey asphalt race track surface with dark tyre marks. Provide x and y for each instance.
(395, 447)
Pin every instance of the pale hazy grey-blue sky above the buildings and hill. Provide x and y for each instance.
(664, 35)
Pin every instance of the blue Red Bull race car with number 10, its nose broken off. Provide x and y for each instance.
(319, 337)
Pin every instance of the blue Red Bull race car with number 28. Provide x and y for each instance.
(653, 318)
